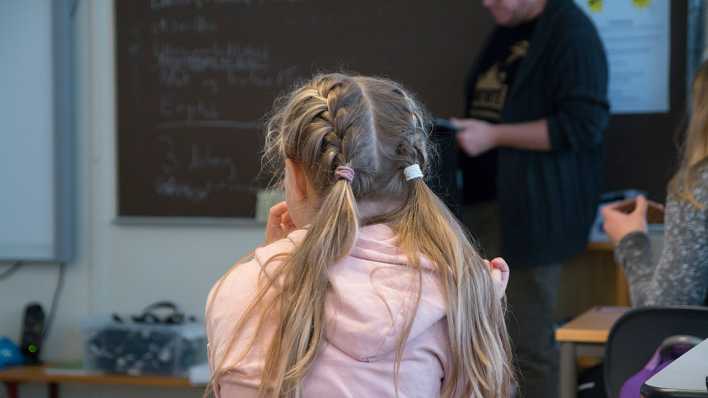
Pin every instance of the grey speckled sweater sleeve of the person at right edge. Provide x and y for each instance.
(679, 277)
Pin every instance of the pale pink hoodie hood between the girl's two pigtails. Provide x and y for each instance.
(372, 296)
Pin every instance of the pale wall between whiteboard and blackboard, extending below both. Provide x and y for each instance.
(118, 268)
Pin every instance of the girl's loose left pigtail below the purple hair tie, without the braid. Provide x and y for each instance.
(302, 301)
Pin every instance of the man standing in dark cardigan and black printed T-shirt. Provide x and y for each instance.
(536, 112)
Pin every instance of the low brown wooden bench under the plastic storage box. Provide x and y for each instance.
(13, 377)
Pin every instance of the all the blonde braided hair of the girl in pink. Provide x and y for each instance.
(375, 127)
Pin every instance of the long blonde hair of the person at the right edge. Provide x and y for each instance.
(694, 150)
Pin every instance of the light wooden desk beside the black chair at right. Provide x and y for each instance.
(585, 335)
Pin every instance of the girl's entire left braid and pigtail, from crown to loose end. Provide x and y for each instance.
(325, 126)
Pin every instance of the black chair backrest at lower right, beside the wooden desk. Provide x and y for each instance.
(639, 332)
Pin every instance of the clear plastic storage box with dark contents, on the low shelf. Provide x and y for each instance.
(143, 349)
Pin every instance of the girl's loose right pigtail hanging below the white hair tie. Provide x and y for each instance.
(481, 360)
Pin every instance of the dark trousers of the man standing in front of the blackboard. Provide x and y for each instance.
(532, 296)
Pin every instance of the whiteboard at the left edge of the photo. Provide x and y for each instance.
(35, 131)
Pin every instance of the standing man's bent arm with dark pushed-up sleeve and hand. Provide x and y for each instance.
(581, 111)
